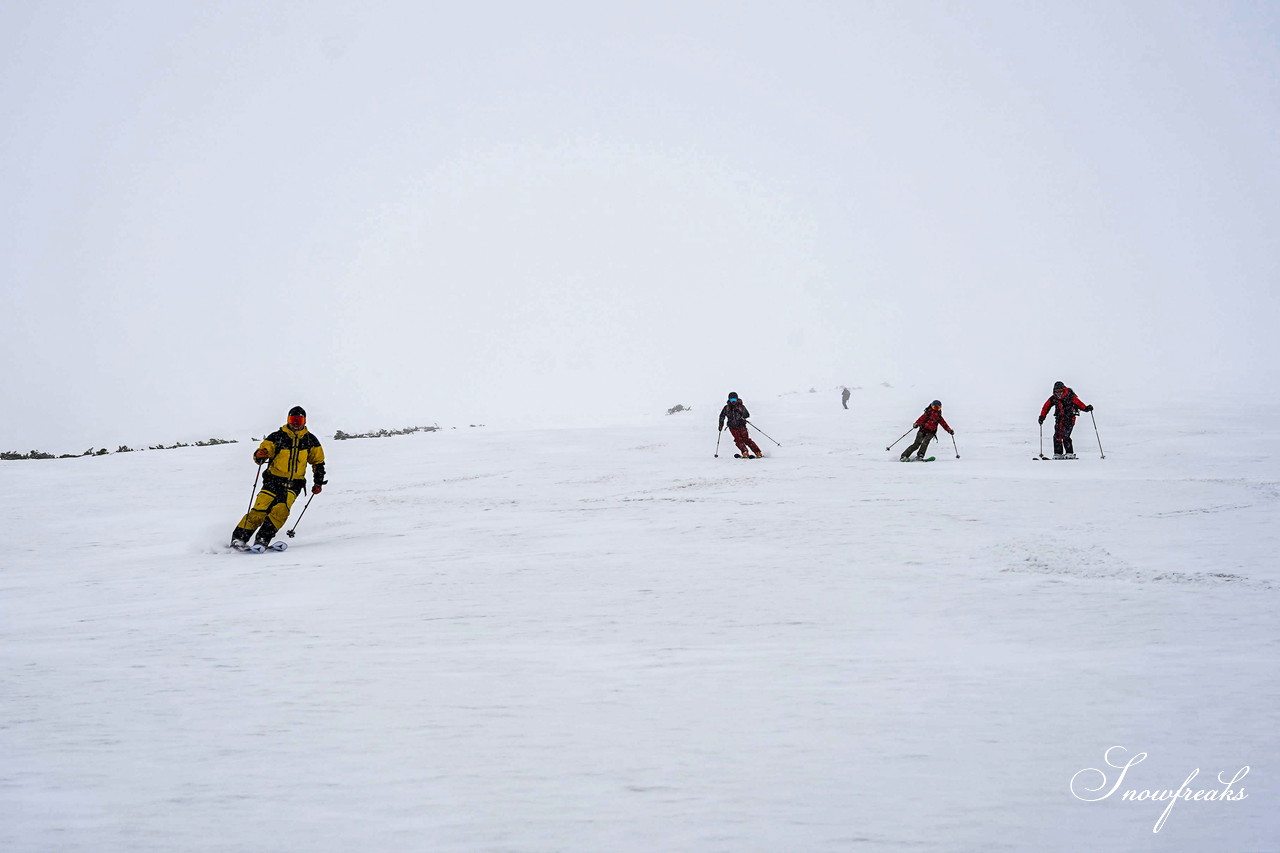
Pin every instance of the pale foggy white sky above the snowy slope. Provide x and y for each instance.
(413, 212)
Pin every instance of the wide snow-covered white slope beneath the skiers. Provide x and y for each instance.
(611, 641)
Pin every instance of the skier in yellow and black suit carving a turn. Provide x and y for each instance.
(287, 453)
